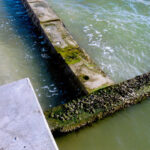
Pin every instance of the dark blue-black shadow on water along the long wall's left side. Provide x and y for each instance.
(22, 26)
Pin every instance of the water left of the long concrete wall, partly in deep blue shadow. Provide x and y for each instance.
(23, 54)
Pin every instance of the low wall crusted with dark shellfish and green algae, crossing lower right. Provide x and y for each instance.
(99, 104)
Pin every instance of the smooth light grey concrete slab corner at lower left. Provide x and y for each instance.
(22, 123)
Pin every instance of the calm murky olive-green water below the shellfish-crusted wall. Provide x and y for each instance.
(126, 130)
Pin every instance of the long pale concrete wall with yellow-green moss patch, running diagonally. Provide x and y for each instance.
(90, 76)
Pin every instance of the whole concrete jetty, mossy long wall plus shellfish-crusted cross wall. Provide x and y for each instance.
(83, 74)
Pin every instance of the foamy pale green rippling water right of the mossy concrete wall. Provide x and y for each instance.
(115, 33)
